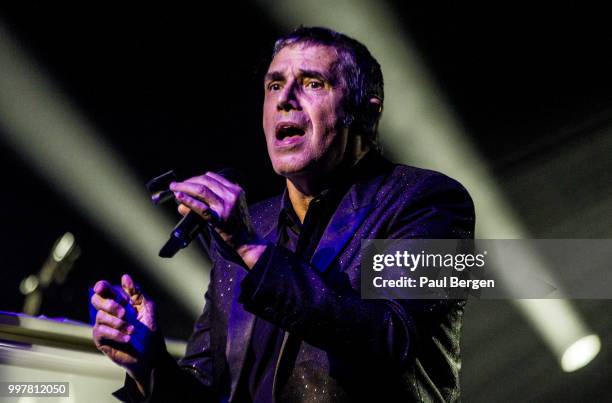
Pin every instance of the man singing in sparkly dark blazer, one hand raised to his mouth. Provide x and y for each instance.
(283, 318)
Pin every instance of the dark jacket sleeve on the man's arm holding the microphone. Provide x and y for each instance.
(289, 292)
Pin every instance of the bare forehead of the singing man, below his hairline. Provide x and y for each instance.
(304, 56)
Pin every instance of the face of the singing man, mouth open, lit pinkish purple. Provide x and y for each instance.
(303, 115)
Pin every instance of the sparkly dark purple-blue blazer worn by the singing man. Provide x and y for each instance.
(337, 347)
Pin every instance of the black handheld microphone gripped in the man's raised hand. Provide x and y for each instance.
(192, 223)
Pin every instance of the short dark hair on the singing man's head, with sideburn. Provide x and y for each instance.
(360, 71)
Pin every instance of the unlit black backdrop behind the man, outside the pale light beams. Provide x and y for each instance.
(170, 88)
